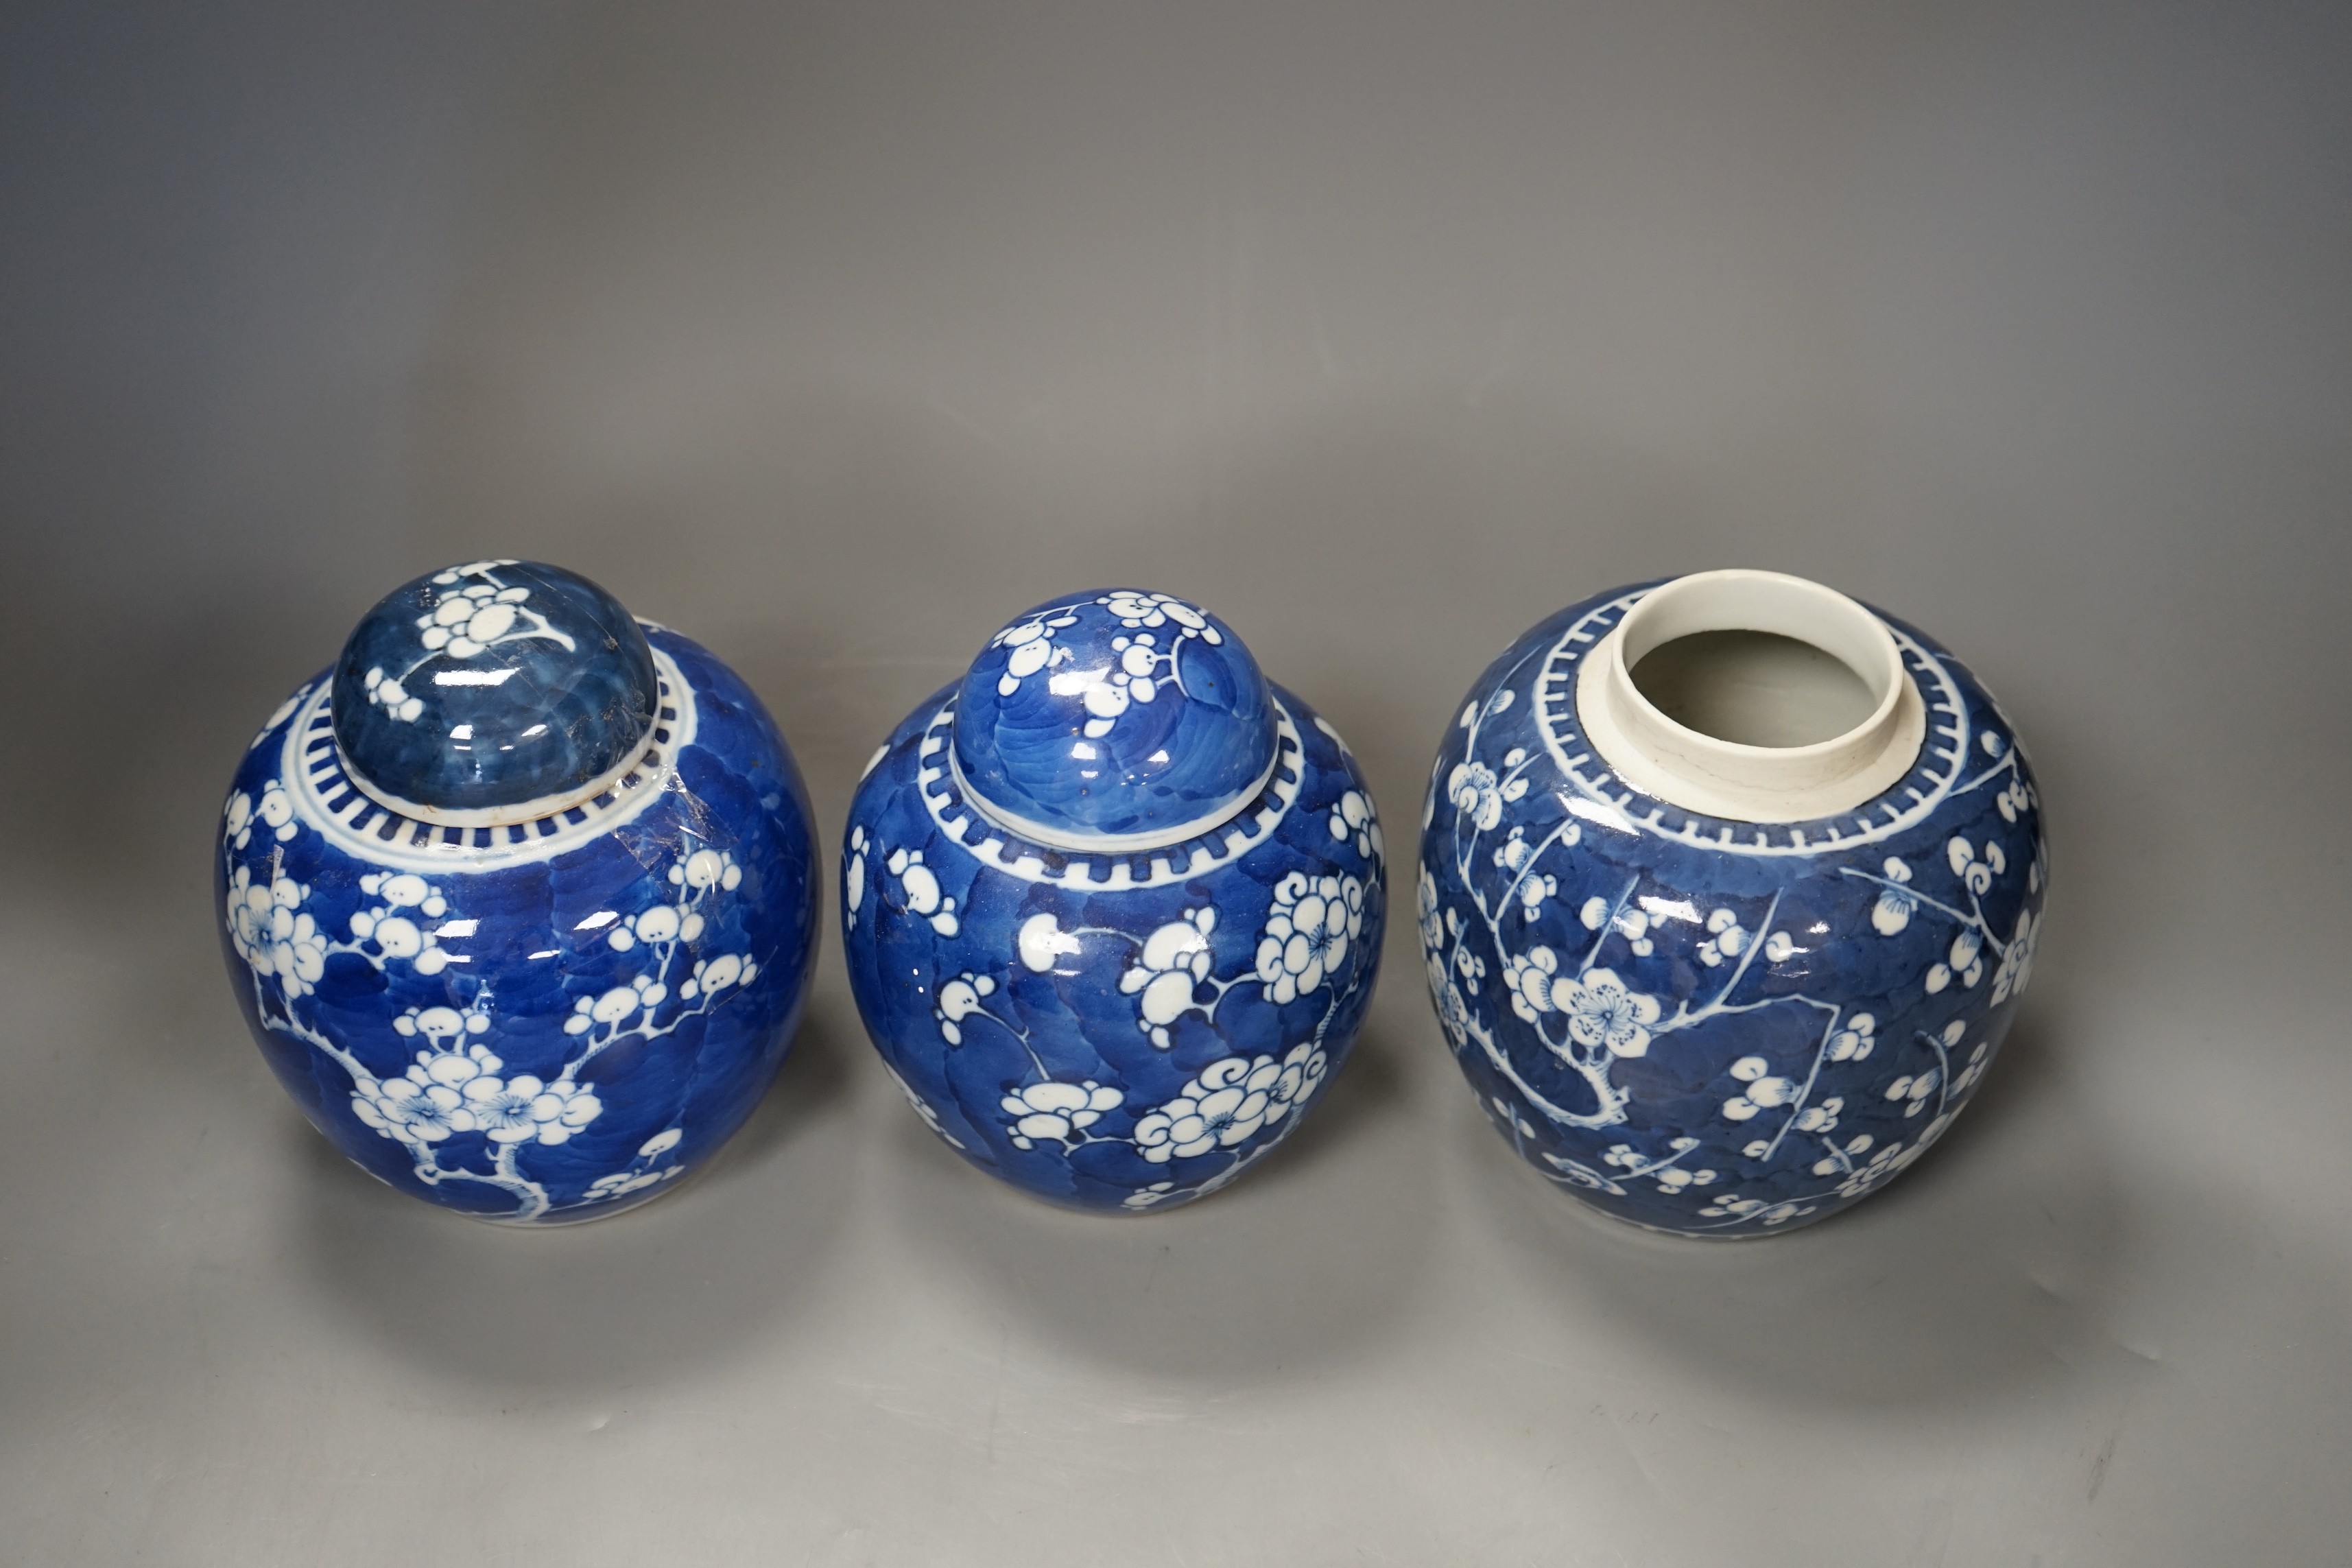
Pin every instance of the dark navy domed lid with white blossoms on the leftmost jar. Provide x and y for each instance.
(493, 692)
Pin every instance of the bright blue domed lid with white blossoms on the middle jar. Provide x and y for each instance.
(1114, 721)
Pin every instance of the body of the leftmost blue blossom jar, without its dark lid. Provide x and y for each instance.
(542, 1021)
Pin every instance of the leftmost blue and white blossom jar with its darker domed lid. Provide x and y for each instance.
(521, 899)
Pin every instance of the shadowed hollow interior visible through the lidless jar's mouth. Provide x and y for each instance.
(1753, 688)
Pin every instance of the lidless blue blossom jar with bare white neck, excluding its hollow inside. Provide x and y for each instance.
(1718, 989)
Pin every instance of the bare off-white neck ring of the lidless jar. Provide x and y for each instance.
(1735, 779)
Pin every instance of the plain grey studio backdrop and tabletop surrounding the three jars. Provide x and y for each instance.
(838, 335)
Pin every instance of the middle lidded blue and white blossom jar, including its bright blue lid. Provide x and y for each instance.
(1114, 904)
